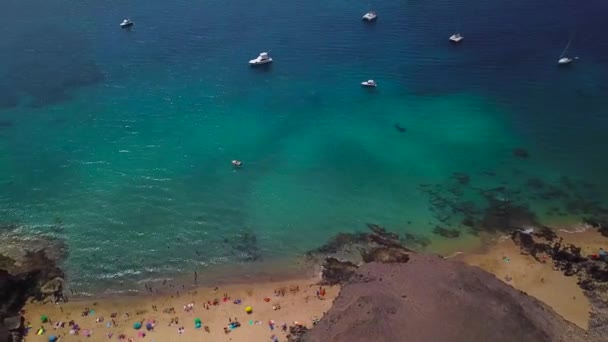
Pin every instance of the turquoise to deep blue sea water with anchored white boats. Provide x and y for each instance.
(120, 141)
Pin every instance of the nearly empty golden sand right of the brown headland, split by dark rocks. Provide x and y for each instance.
(505, 260)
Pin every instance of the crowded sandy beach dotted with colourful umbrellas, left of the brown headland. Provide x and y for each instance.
(275, 305)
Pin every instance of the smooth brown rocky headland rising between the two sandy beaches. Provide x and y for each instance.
(431, 299)
